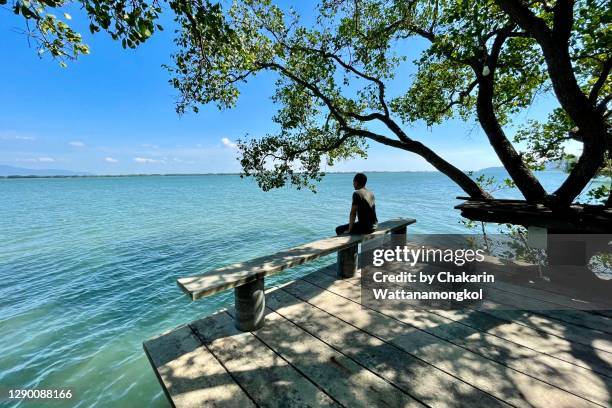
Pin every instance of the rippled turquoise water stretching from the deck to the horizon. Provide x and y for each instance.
(88, 266)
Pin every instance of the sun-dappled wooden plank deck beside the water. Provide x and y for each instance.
(320, 347)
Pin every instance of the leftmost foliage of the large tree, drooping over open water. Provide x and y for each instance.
(259, 36)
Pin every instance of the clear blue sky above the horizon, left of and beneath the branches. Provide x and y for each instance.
(112, 112)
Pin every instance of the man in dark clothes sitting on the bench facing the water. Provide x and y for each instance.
(363, 209)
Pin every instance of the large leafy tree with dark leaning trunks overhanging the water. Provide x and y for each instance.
(484, 60)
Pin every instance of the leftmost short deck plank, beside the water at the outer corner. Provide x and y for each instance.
(189, 374)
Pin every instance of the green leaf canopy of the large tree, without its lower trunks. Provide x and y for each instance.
(334, 74)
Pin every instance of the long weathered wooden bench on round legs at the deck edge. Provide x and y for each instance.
(247, 278)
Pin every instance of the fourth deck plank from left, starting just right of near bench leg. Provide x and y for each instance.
(433, 387)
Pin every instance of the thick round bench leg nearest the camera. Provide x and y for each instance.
(249, 305)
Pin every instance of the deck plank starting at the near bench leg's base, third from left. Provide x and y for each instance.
(340, 377)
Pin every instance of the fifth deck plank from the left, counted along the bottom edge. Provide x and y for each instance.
(502, 381)
